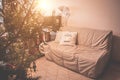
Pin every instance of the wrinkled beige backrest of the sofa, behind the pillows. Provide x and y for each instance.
(92, 37)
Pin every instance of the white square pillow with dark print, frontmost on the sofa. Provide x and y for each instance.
(68, 38)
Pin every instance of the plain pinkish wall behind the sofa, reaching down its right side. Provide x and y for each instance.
(98, 14)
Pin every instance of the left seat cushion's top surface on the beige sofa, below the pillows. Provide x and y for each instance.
(61, 51)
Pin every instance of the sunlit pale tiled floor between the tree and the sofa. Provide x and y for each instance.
(48, 70)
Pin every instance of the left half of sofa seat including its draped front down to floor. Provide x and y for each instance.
(63, 55)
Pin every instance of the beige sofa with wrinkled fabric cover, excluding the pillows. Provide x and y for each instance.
(90, 54)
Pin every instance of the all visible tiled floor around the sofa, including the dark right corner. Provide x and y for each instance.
(47, 70)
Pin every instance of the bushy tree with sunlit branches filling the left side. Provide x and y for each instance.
(21, 34)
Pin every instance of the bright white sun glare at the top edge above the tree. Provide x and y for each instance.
(46, 6)
